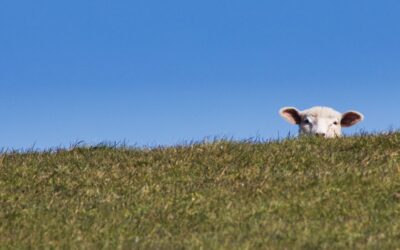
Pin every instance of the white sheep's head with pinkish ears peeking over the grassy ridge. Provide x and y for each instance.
(321, 121)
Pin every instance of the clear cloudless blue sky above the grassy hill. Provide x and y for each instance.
(157, 72)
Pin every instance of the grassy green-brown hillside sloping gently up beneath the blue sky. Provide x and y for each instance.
(306, 193)
